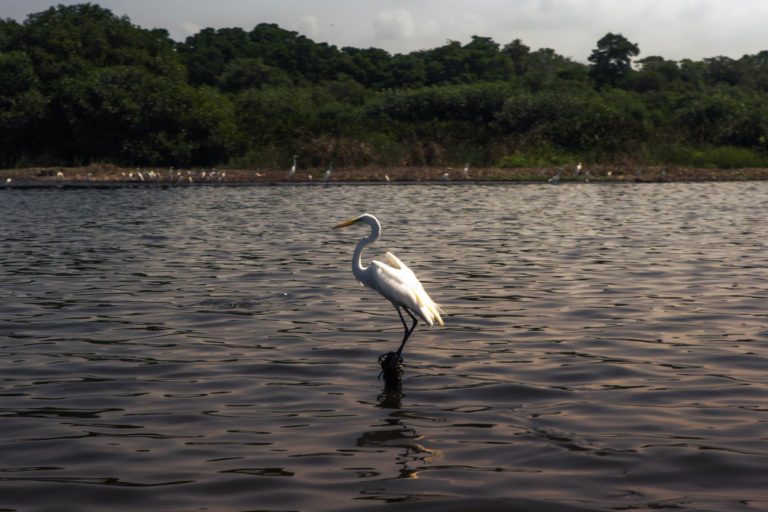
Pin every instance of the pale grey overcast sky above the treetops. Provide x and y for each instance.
(674, 29)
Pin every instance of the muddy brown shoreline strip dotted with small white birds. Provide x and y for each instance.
(106, 175)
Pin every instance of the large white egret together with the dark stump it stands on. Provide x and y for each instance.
(395, 282)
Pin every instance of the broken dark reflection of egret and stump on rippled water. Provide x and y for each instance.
(396, 434)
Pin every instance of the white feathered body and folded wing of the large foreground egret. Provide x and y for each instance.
(397, 283)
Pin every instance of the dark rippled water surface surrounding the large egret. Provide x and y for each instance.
(605, 347)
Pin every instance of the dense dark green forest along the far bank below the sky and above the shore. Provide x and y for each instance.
(79, 84)
